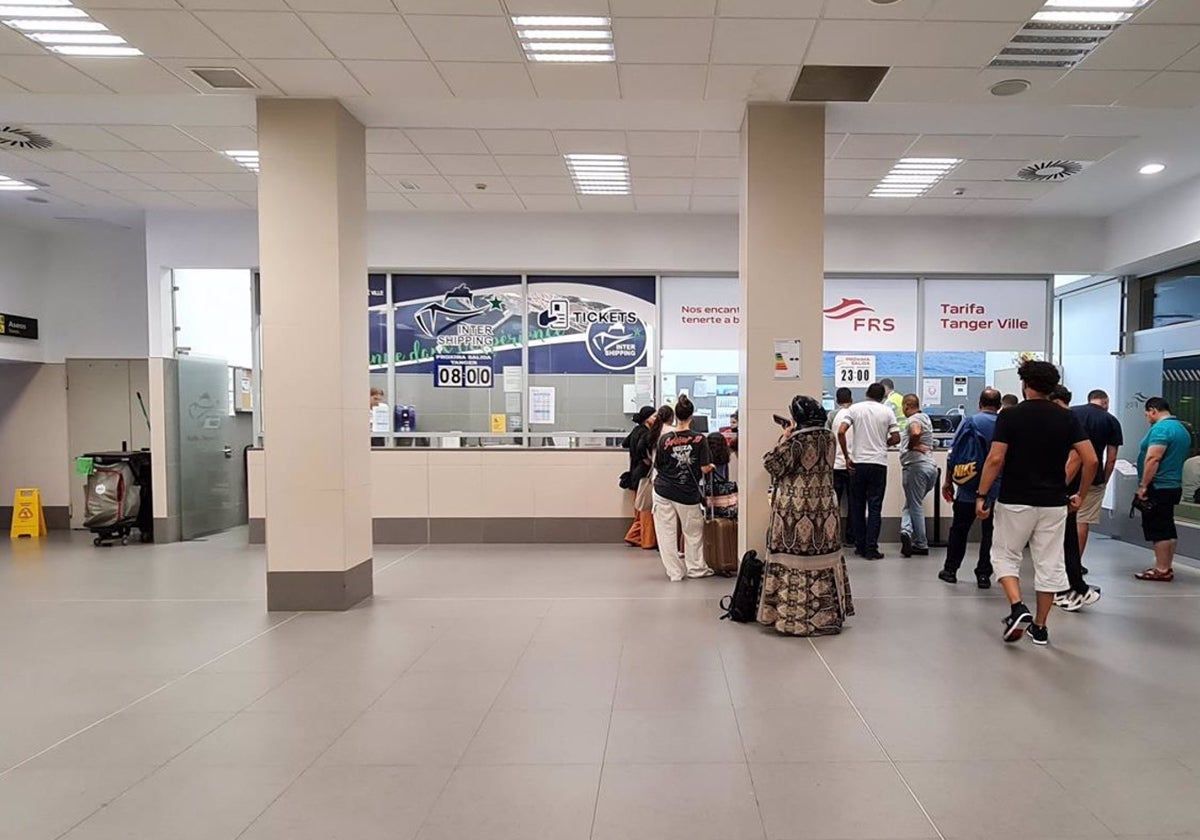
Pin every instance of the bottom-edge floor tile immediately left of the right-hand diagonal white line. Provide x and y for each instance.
(837, 801)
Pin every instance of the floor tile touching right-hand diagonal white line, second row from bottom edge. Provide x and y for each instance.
(775, 736)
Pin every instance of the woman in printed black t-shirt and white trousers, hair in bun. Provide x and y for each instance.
(681, 460)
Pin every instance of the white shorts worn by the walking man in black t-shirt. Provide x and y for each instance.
(1043, 531)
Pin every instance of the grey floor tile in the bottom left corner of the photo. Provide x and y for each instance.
(41, 805)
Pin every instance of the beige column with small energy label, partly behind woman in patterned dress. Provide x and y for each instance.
(783, 280)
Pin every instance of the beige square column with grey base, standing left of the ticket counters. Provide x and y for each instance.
(313, 254)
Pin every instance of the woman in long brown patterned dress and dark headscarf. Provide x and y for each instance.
(806, 587)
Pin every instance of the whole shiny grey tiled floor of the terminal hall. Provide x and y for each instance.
(572, 693)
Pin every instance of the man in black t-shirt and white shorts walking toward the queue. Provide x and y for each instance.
(1031, 447)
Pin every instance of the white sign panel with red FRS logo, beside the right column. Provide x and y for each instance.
(871, 315)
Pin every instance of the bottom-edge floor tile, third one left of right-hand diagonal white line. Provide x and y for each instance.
(515, 803)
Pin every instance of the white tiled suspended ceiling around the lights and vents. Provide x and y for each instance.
(452, 103)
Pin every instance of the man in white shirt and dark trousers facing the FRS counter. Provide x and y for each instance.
(875, 430)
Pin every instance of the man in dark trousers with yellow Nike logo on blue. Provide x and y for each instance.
(964, 466)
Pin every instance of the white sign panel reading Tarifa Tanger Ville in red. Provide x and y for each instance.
(986, 315)
